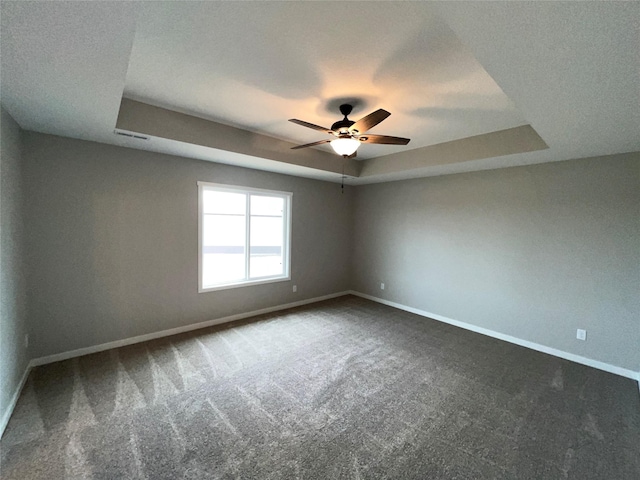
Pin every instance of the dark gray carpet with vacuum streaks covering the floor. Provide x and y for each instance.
(340, 389)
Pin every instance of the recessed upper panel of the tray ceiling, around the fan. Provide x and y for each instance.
(256, 65)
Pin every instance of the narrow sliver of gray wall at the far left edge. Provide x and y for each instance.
(13, 322)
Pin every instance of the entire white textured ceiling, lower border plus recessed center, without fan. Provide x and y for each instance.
(445, 70)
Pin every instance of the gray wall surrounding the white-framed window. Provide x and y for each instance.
(113, 242)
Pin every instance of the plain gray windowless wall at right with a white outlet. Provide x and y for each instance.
(534, 252)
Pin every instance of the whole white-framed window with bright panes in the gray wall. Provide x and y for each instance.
(244, 236)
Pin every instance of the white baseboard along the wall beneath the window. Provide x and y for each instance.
(173, 331)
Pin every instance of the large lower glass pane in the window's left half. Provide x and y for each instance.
(223, 249)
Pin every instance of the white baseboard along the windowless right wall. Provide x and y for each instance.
(508, 338)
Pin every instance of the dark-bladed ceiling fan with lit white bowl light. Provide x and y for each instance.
(349, 134)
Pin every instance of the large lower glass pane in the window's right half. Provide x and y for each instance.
(266, 247)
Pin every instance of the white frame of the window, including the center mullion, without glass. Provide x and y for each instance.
(286, 254)
